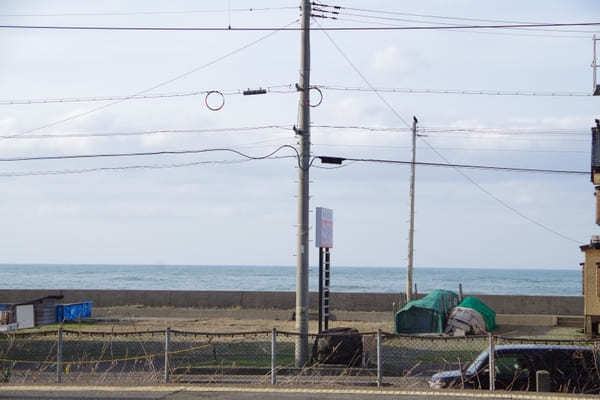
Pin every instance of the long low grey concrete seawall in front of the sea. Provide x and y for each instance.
(502, 304)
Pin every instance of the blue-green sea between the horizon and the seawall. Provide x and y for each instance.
(526, 281)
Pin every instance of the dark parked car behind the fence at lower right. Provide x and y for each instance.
(574, 369)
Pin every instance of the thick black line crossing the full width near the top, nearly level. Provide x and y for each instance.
(267, 28)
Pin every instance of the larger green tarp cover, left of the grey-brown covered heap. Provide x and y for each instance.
(426, 315)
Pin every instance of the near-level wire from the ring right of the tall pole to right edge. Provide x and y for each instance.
(458, 91)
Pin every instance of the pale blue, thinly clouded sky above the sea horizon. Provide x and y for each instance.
(219, 208)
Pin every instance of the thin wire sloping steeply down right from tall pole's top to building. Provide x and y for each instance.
(466, 176)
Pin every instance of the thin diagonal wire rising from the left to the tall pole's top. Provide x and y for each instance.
(160, 84)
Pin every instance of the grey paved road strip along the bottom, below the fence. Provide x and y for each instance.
(214, 393)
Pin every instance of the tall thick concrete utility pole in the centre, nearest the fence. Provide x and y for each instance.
(303, 132)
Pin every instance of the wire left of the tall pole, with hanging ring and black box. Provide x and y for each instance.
(284, 88)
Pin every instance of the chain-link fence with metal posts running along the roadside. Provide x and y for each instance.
(268, 357)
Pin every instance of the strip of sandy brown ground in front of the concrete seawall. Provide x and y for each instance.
(127, 318)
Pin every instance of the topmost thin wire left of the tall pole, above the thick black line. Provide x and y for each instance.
(158, 12)
